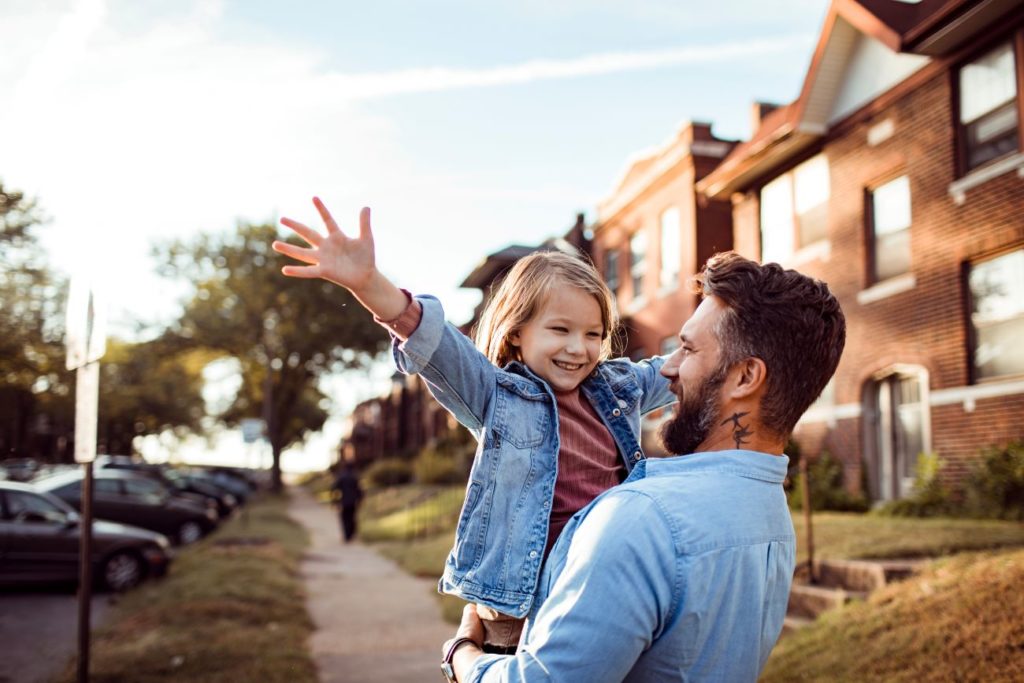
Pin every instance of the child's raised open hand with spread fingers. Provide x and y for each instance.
(340, 260)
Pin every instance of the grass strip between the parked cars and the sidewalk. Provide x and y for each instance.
(231, 610)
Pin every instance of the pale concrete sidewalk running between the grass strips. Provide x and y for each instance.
(374, 622)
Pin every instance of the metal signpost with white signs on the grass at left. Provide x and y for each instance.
(87, 345)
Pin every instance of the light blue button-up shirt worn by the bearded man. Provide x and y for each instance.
(680, 574)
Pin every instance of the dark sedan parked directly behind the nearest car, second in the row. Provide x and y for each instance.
(131, 499)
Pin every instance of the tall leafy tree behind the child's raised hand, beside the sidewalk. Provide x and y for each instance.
(285, 334)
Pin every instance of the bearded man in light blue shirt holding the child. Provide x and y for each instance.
(684, 572)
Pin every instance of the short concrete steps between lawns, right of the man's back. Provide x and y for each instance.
(837, 583)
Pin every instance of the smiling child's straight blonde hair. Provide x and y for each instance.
(527, 289)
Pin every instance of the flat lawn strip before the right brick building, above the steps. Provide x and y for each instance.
(845, 536)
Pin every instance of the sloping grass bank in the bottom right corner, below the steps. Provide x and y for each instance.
(960, 620)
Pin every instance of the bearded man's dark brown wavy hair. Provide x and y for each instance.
(793, 323)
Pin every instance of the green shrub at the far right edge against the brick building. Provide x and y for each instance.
(995, 487)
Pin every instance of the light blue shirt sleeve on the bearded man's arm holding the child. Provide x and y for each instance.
(614, 587)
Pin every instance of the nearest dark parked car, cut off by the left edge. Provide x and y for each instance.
(40, 536)
